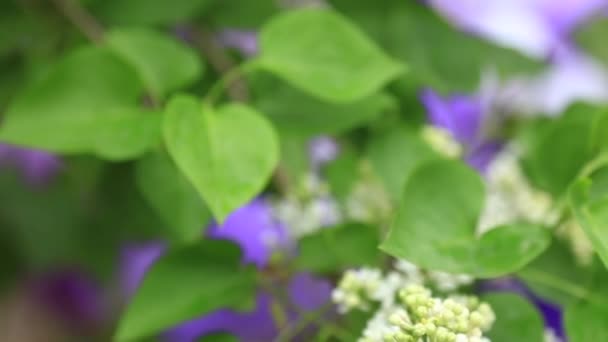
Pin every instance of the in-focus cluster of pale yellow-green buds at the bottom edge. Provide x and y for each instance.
(420, 317)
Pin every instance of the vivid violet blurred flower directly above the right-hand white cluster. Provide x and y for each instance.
(464, 117)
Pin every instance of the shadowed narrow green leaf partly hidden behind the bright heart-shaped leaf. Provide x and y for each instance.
(173, 197)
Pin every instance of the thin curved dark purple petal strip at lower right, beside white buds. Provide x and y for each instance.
(550, 312)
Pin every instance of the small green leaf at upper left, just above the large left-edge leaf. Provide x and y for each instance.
(163, 63)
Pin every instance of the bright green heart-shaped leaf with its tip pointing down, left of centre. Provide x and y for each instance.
(228, 153)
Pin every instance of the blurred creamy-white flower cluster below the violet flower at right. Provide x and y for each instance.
(510, 197)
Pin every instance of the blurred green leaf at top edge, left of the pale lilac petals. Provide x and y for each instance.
(438, 55)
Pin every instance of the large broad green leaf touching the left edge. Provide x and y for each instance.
(87, 103)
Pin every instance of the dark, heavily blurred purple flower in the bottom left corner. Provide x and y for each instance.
(72, 296)
